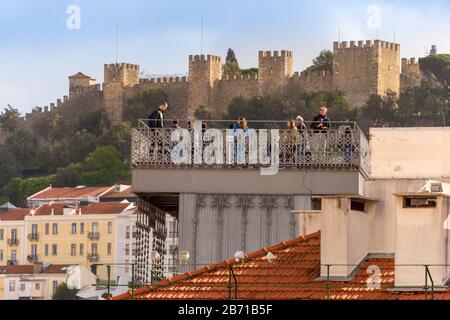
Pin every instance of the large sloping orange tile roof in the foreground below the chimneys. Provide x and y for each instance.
(292, 275)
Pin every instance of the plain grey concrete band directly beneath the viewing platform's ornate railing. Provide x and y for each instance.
(247, 181)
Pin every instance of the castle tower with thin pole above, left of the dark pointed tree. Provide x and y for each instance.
(204, 72)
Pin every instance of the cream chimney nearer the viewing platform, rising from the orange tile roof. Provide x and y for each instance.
(344, 234)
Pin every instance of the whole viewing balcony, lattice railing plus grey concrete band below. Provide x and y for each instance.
(303, 162)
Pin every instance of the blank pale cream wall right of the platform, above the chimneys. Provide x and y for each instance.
(410, 153)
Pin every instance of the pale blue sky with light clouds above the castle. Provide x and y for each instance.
(43, 42)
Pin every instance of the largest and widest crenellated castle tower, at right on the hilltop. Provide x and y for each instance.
(364, 68)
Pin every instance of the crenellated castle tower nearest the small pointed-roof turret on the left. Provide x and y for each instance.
(117, 77)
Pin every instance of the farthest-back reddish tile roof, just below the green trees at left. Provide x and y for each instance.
(69, 193)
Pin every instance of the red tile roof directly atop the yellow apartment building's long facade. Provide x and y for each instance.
(92, 208)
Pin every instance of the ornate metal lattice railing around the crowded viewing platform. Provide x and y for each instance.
(308, 149)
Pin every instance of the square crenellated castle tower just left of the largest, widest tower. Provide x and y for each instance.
(274, 71)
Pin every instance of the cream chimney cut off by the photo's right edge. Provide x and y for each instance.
(422, 236)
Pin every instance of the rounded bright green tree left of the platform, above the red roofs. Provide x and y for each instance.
(104, 167)
